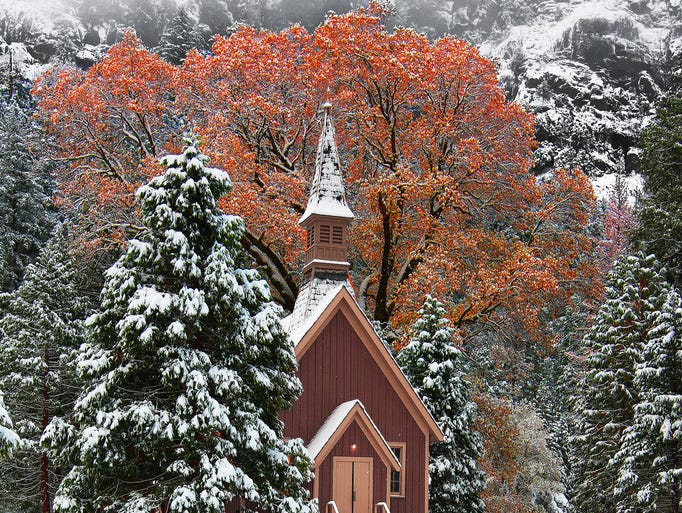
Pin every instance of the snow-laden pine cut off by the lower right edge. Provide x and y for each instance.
(650, 456)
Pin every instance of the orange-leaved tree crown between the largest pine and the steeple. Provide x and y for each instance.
(254, 101)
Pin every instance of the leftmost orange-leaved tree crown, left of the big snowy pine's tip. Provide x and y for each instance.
(107, 128)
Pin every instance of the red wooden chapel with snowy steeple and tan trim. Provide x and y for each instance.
(365, 428)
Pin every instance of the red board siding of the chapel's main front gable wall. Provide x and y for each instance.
(338, 368)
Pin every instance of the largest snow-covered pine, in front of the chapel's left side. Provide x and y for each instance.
(189, 368)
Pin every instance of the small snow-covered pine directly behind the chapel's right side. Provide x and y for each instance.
(434, 367)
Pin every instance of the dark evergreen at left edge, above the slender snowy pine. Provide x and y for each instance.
(26, 218)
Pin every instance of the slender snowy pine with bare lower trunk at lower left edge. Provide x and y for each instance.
(39, 333)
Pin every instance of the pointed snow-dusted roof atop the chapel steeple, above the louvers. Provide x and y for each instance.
(327, 194)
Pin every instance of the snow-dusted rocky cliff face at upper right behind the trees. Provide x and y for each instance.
(591, 70)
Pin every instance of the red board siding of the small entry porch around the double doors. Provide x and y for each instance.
(353, 435)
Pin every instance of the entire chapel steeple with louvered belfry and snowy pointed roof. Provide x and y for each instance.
(325, 220)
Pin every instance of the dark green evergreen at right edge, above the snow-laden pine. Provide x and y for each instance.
(660, 217)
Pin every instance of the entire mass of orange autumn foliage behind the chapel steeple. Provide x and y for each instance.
(437, 163)
